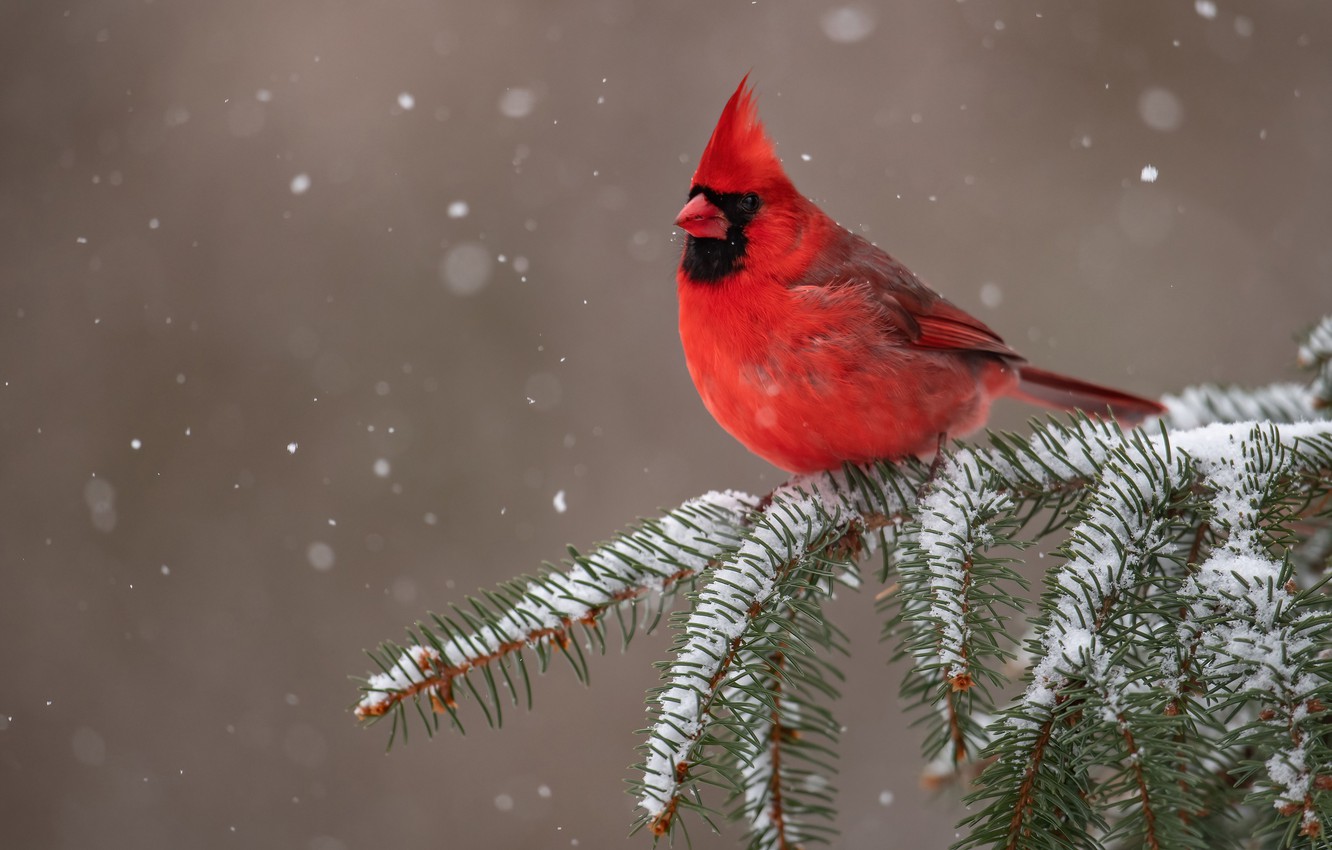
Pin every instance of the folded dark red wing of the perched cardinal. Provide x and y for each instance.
(912, 311)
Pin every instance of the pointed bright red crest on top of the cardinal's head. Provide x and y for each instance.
(740, 157)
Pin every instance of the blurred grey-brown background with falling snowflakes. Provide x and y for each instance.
(311, 312)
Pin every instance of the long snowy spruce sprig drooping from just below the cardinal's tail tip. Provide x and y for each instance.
(1088, 672)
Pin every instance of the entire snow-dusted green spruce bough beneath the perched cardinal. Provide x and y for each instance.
(1177, 668)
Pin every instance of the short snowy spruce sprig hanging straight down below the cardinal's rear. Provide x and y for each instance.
(954, 591)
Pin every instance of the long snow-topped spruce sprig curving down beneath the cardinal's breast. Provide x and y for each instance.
(788, 559)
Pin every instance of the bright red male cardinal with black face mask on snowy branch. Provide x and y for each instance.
(812, 347)
